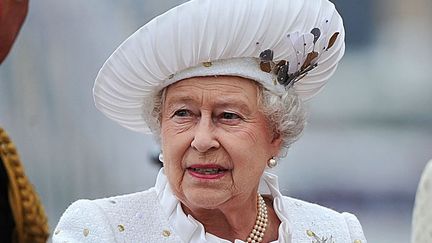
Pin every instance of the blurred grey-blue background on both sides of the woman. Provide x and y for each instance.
(367, 141)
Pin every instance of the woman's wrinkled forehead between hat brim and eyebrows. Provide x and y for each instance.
(222, 88)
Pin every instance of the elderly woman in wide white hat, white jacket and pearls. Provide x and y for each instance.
(221, 85)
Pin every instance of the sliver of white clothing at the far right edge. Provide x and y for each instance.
(422, 215)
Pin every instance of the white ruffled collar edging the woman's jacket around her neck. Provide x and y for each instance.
(191, 230)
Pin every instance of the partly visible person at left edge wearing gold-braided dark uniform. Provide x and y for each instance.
(22, 217)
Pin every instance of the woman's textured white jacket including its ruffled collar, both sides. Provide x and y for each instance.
(156, 216)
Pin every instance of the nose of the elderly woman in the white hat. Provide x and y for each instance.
(204, 137)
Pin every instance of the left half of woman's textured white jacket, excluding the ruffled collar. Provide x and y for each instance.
(131, 218)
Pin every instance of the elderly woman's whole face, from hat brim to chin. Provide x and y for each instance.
(215, 140)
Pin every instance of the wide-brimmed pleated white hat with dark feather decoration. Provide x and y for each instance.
(279, 43)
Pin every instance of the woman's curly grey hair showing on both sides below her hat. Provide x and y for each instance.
(285, 113)
